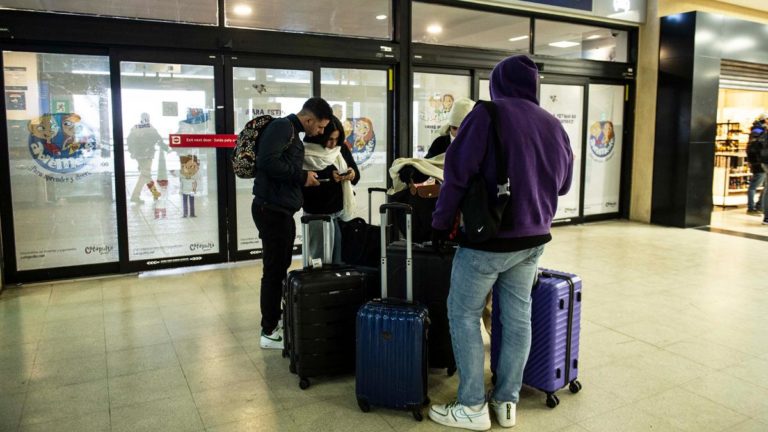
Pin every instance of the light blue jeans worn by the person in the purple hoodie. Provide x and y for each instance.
(473, 276)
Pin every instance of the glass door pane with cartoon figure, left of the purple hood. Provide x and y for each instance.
(433, 96)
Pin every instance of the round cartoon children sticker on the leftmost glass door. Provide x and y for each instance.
(61, 143)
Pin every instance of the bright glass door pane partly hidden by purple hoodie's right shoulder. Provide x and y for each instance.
(566, 102)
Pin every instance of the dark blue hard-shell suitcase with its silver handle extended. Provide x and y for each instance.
(391, 358)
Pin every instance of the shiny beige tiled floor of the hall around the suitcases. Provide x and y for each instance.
(673, 339)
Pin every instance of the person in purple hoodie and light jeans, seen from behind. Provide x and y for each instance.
(539, 165)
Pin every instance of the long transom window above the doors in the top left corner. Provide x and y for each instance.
(188, 11)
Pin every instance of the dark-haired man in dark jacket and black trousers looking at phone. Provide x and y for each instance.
(277, 196)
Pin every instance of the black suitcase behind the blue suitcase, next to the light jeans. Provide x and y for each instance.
(431, 284)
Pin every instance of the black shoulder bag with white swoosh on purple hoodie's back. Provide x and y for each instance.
(481, 213)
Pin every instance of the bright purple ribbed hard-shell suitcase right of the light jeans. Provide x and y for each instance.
(553, 362)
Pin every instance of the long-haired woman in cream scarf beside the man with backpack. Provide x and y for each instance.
(337, 172)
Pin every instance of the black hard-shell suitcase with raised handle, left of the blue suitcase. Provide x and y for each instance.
(319, 315)
